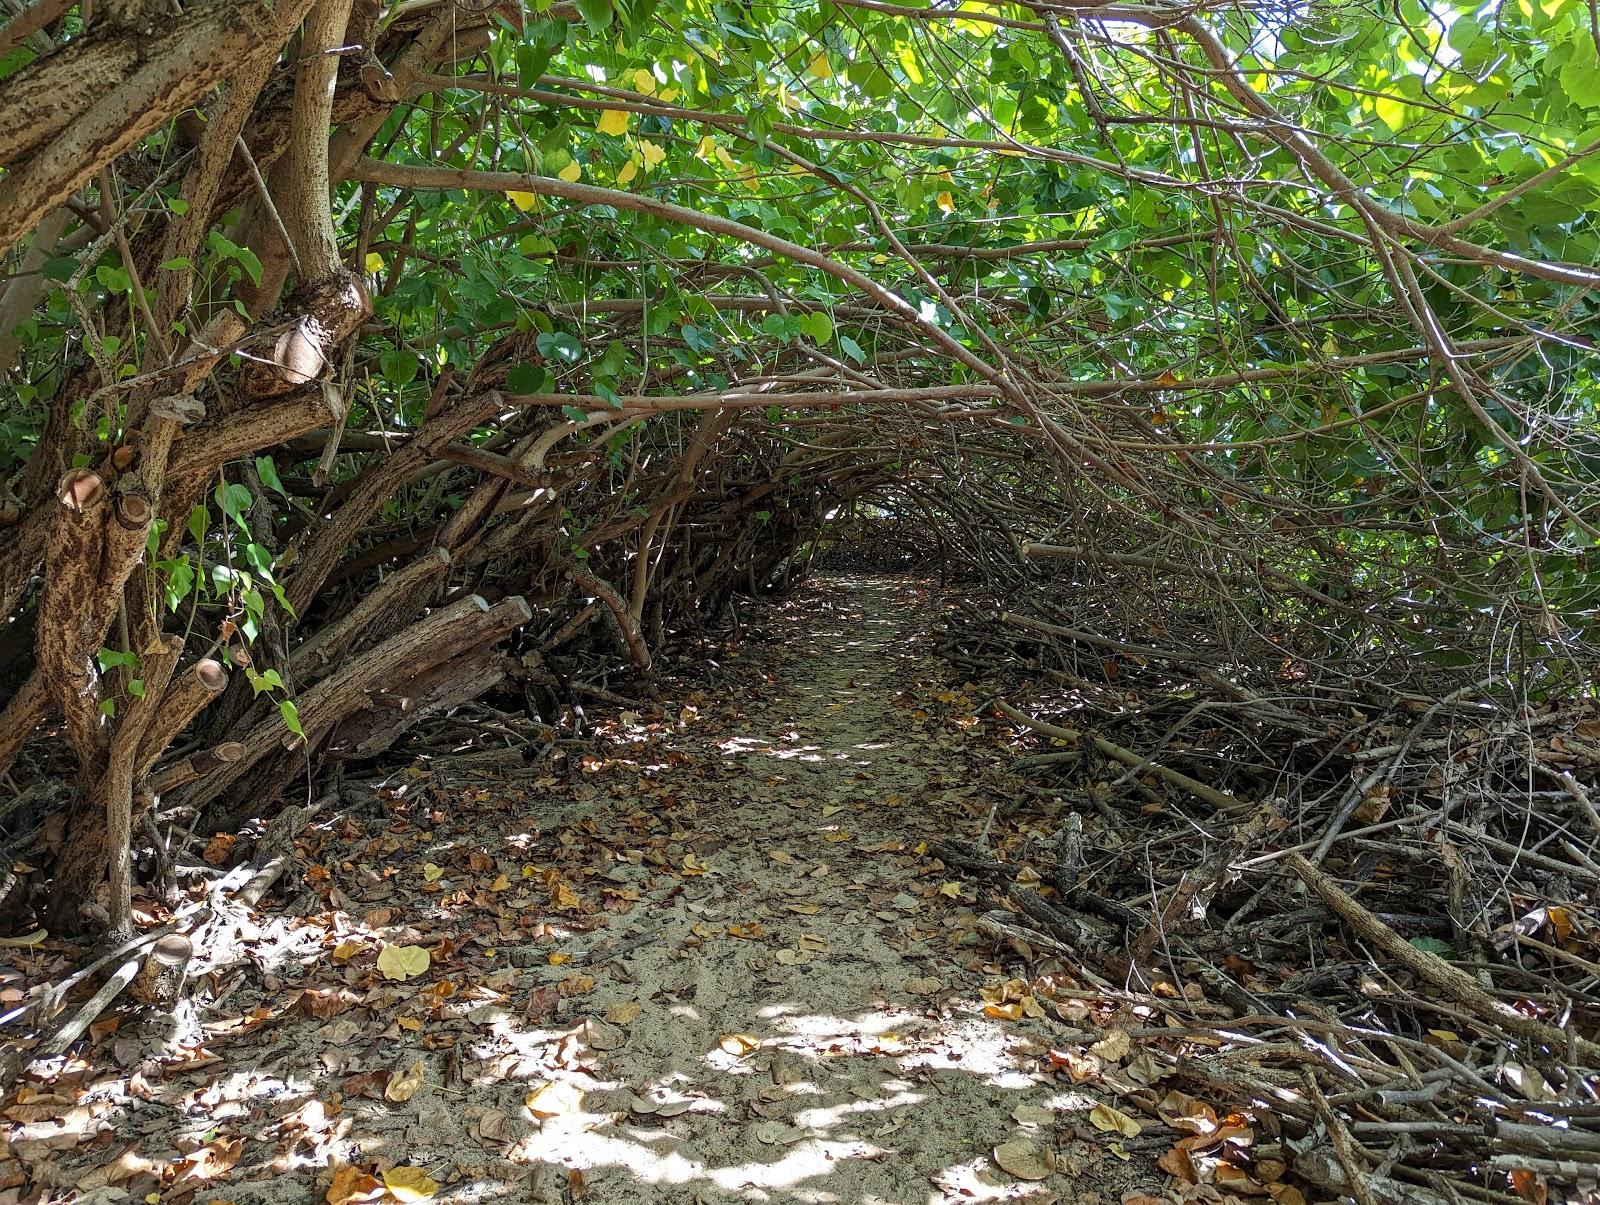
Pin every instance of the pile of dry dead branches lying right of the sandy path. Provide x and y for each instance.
(1350, 895)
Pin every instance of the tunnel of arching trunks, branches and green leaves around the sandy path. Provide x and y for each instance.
(386, 375)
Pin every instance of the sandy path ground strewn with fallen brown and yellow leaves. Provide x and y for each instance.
(710, 966)
